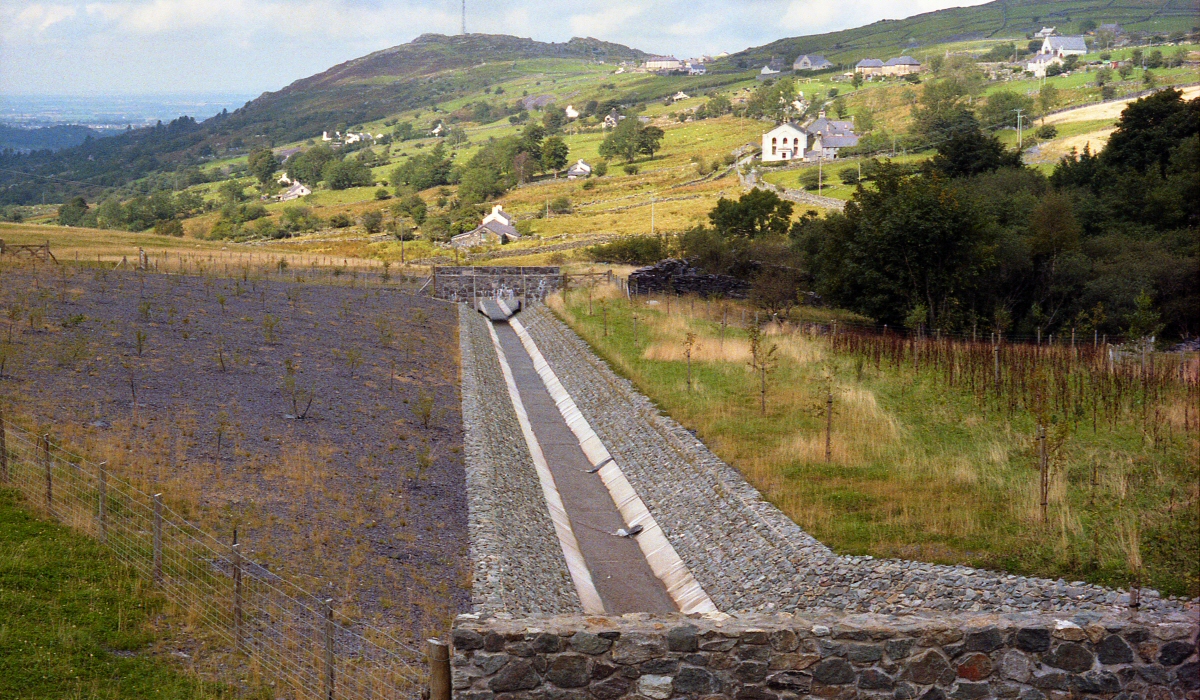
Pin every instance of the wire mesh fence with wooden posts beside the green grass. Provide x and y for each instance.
(277, 635)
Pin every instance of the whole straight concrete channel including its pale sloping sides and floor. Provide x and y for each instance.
(589, 498)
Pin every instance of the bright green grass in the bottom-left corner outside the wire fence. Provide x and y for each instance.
(77, 623)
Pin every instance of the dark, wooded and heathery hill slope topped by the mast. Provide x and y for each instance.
(422, 74)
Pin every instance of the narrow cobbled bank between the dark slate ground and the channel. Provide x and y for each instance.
(518, 561)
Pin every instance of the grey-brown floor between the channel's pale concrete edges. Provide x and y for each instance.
(620, 571)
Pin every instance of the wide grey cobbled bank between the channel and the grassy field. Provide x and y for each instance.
(745, 552)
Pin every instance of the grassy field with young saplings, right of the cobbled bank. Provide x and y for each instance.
(920, 469)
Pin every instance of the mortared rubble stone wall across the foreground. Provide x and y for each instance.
(785, 657)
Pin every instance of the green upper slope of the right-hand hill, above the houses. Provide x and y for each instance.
(998, 20)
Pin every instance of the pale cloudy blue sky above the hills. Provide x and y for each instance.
(158, 47)
